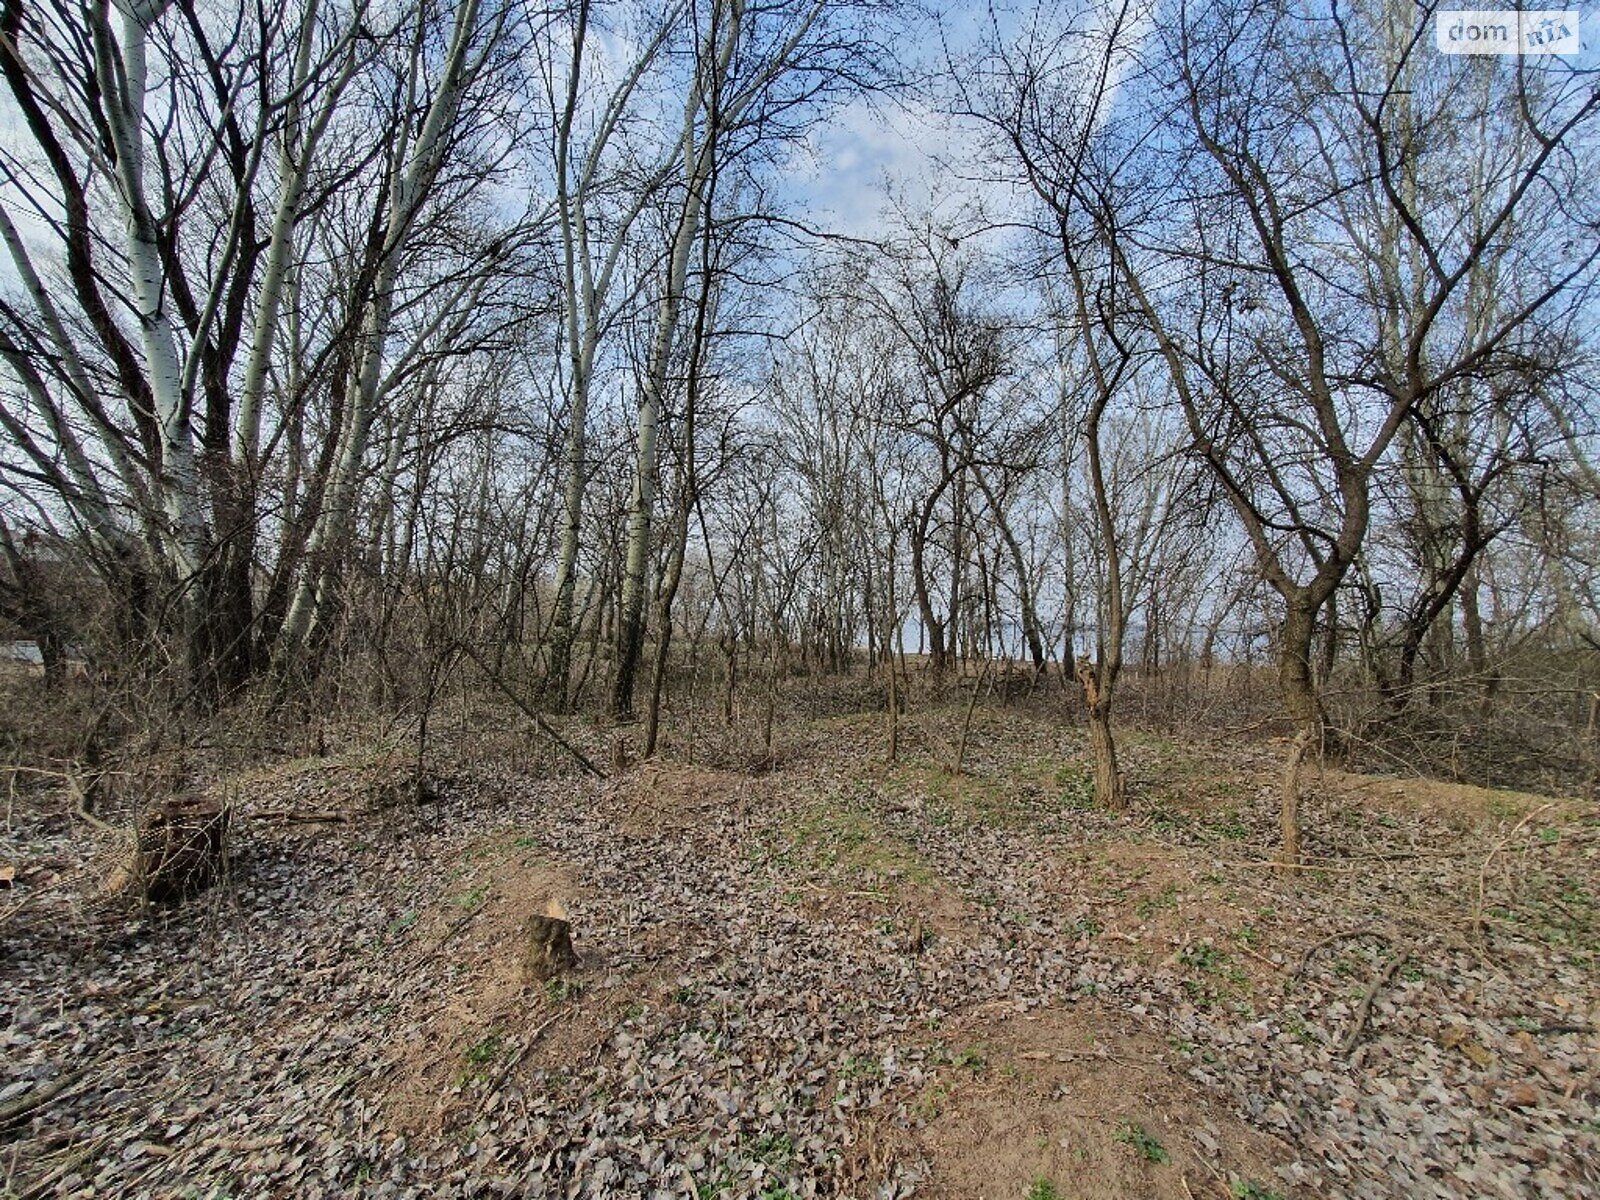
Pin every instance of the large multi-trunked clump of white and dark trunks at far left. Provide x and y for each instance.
(186, 359)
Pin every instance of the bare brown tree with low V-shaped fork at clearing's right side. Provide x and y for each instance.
(1327, 303)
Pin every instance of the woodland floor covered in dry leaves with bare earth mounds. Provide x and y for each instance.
(833, 978)
